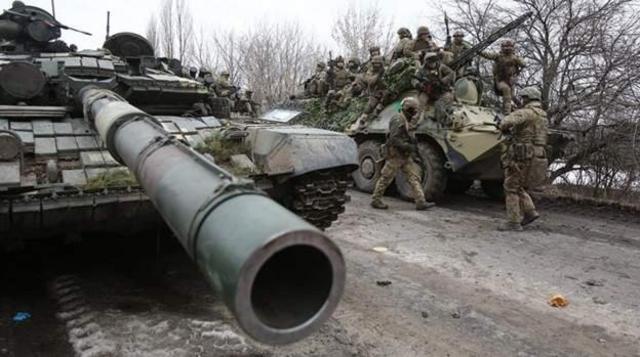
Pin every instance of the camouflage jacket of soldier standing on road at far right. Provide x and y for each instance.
(527, 125)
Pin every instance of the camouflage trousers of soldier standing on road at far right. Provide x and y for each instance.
(517, 199)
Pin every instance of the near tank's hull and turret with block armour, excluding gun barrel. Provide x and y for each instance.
(56, 174)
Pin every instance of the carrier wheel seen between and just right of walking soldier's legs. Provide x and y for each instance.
(434, 175)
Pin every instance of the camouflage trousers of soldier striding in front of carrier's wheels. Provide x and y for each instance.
(411, 170)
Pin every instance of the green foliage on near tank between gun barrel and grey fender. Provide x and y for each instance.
(222, 149)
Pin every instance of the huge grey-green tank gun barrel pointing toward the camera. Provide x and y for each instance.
(280, 276)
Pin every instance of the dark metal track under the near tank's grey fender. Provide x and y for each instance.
(320, 197)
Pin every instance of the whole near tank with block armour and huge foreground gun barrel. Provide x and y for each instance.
(105, 141)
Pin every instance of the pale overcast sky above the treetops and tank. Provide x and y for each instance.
(132, 15)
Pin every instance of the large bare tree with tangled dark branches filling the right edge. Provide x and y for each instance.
(585, 57)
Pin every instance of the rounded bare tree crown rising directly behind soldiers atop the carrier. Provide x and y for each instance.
(359, 28)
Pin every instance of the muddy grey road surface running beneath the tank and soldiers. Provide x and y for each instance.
(448, 284)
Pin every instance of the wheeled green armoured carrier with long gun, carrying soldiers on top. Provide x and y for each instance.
(457, 144)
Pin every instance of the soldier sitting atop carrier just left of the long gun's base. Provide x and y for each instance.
(434, 81)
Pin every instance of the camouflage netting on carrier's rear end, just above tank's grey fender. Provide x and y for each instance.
(317, 116)
